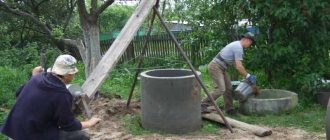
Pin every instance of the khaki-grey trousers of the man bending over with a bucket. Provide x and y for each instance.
(221, 84)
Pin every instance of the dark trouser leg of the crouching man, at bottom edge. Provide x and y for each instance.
(74, 135)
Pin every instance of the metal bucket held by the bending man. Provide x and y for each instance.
(243, 91)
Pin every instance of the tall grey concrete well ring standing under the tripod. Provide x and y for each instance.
(170, 101)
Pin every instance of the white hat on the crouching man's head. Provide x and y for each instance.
(65, 64)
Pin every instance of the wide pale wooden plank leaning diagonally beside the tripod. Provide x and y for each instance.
(118, 47)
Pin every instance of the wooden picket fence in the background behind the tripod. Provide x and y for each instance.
(159, 47)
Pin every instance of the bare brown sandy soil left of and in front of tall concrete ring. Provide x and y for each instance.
(111, 127)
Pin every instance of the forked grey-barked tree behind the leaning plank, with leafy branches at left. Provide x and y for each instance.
(45, 17)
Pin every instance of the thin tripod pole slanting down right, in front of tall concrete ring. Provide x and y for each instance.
(177, 45)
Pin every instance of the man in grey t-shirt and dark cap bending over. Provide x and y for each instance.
(230, 55)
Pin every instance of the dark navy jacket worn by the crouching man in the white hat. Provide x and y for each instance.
(42, 109)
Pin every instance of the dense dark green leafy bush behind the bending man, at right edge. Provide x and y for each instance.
(291, 34)
